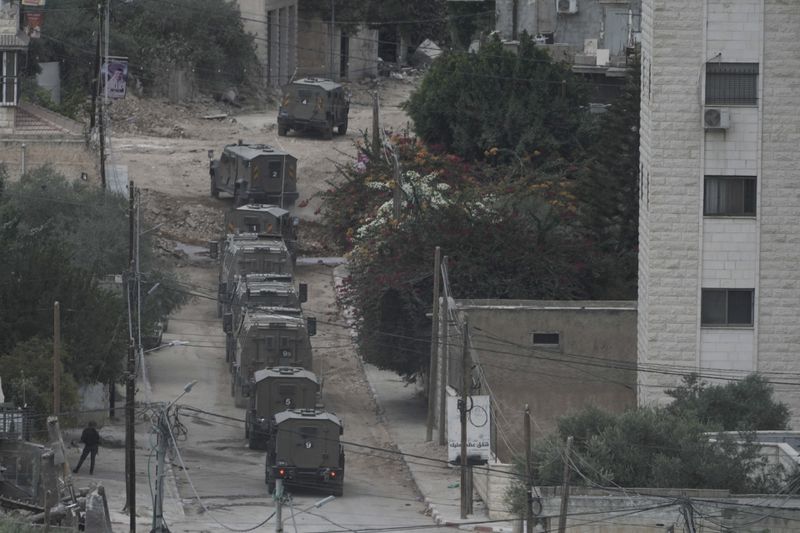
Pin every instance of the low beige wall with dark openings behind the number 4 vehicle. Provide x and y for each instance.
(314, 53)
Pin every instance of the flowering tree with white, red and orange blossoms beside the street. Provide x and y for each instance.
(390, 278)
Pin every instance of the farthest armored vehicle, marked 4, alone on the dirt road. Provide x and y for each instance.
(313, 104)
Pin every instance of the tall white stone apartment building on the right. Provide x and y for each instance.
(719, 246)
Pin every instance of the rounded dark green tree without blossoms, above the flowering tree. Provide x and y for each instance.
(523, 102)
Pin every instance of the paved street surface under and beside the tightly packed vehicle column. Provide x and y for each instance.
(229, 477)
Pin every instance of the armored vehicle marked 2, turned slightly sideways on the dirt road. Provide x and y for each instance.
(255, 173)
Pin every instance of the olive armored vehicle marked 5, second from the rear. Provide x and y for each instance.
(275, 390)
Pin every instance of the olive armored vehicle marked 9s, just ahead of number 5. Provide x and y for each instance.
(267, 337)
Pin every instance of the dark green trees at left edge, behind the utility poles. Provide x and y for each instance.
(60, 241)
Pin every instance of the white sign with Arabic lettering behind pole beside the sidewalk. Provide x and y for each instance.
(478, 429)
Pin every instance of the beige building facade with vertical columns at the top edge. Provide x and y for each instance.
(273, 23)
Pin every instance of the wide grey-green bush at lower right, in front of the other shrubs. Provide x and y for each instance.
(647, 447)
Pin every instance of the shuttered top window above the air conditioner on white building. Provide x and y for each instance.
(731, 83)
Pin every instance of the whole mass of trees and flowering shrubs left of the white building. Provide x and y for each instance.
(504, 178)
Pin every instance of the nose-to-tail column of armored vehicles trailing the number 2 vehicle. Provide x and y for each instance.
(268, 348)
